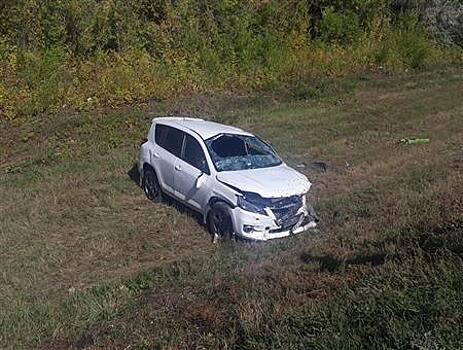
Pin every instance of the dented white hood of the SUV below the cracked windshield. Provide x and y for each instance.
(274, 182)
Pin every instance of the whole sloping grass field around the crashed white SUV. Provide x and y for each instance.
(87, 261)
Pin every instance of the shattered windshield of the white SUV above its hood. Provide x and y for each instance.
(239, 152)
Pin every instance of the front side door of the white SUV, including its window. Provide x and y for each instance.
(188, 169)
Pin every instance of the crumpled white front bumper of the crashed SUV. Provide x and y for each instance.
(265, 227)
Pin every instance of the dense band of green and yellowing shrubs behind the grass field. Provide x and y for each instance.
(86, 54)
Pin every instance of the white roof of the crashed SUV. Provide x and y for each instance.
(204, 128)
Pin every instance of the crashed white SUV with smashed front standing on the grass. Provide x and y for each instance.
(234, 179)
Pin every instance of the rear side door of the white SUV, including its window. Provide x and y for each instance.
(169, 142)
